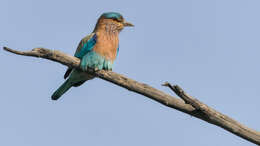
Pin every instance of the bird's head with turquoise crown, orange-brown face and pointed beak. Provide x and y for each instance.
(113, 19)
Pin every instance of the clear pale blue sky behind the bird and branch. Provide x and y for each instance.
(208, 47)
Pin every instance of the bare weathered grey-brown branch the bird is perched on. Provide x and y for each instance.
(191, 105)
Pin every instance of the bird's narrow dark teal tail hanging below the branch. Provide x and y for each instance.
(61, 90)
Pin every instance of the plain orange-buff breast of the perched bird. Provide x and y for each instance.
(107, 45)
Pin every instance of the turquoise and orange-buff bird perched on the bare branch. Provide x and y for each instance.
(97, 51)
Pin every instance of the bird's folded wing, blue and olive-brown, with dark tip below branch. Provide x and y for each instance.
(85, 46)
